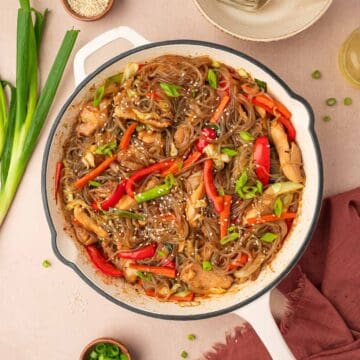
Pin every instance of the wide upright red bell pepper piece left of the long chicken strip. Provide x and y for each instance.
(262, 159)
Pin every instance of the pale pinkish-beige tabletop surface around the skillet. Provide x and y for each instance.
(51, 313)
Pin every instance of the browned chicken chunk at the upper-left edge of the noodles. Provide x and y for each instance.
(93, 118)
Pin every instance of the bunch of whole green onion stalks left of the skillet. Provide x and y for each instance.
(23, 115)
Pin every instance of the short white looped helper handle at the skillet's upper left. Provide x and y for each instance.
(121, 32)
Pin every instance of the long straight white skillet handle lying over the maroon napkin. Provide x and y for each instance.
(258, 314)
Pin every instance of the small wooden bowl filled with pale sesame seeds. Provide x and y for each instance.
(87, 10)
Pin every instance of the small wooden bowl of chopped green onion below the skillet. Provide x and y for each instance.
(105, 349)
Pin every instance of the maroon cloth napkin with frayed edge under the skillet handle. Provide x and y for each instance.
(323, 292)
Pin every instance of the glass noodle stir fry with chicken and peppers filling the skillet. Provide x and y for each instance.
(181, 175)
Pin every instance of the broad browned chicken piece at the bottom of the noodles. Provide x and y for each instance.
(204, 282)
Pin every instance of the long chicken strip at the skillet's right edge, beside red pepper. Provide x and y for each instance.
(289, 154)
